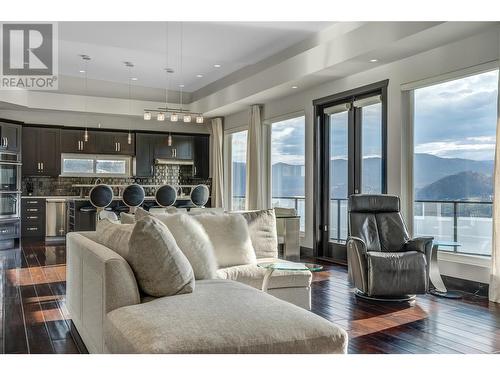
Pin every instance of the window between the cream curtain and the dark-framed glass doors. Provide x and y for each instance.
(287, 165)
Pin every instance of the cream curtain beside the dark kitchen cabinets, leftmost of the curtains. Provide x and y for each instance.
(217, 170)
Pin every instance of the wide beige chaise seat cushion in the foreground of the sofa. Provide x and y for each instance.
(220, 316)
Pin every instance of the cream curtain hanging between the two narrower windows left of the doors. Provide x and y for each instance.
(254, 181)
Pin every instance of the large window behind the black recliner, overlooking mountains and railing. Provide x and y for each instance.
(454, 148)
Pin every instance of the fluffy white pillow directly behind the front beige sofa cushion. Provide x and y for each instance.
(194, 242)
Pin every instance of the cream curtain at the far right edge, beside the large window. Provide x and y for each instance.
(494, 292)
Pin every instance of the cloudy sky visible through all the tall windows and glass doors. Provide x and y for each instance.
(452, 119)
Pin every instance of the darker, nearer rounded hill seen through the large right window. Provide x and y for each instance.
(463, 185)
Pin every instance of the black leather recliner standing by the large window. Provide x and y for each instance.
(384, 263)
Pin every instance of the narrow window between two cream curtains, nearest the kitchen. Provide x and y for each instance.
(238, 169)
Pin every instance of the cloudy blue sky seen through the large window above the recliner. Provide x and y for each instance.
(457, 119)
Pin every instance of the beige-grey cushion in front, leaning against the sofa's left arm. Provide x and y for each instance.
(159, 265)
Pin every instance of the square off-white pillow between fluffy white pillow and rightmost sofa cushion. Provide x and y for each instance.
(230, 239)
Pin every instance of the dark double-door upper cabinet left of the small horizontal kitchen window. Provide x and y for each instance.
(41, 151)
